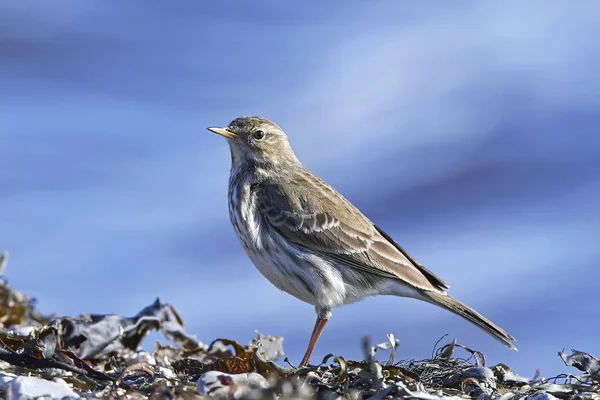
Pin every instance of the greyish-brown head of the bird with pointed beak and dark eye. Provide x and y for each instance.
(256, 140)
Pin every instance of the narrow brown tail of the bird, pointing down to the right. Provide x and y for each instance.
(451, 304)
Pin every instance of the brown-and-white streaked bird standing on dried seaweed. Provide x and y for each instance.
(310, 242)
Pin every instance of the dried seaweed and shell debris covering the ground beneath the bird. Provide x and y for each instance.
(99, 357)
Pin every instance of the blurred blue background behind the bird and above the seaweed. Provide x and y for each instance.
(468, 131)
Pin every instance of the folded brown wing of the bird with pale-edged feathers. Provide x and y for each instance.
(313, 215)
